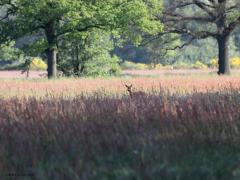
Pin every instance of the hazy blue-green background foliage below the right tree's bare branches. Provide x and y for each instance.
(155, 51)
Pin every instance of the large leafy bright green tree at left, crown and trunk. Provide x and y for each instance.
(56, 18)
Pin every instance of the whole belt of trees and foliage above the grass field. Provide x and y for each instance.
(94, 37)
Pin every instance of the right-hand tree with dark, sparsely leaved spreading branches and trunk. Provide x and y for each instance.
(209, 18)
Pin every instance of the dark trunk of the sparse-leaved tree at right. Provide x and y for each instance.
(223, 55)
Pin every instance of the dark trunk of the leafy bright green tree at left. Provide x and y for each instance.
(51, 50)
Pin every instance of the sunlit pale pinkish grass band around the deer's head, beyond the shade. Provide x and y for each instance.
(73, 87)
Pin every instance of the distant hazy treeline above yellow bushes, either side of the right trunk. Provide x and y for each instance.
(199, 50)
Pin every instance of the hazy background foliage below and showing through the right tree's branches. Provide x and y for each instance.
(205, 49)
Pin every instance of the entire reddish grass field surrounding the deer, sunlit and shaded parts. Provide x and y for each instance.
(183, 127)
